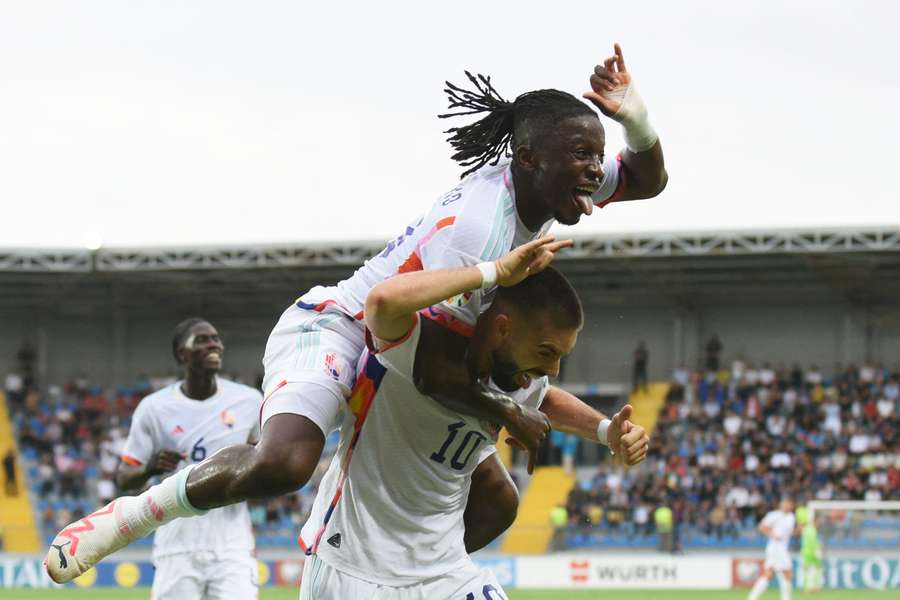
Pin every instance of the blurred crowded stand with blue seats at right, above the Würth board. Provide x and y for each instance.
(729, 444)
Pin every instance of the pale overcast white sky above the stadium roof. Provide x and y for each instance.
(211, 122)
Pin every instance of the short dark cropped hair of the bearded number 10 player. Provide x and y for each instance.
(548, 293)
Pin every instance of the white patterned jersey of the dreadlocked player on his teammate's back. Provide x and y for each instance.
(474, 222)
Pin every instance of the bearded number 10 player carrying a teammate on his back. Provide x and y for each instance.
(397, 531)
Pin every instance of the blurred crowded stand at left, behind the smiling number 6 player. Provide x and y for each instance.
(71, 439)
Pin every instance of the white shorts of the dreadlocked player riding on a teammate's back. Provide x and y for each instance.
(310, 365)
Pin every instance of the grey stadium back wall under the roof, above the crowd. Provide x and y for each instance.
(118, 348)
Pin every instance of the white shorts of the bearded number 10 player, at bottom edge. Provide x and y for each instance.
(323, 582)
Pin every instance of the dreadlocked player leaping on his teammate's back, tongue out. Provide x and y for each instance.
(556, 172)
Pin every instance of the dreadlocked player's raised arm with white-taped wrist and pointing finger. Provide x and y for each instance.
(614, 93)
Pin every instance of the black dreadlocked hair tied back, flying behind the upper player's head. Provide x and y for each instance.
(490, 138)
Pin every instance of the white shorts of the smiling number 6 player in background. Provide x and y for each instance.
(206, 575)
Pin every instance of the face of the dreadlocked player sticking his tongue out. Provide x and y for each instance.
(564, 166)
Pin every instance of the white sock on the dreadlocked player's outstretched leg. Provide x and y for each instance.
(157, 506)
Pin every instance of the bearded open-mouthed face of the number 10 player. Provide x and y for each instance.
(524, 347)
